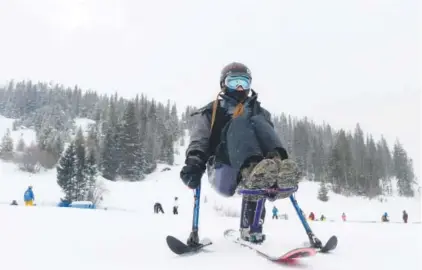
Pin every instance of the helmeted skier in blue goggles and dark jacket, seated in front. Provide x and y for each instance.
(233, 138)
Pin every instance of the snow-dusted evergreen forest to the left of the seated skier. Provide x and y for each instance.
(127, 140)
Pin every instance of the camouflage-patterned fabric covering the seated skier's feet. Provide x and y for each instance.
(271, 173)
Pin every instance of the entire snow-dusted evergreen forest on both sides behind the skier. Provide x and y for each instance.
(130, 136)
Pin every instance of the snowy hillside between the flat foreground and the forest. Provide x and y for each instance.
(127, 195)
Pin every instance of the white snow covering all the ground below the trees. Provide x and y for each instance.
(127, 235)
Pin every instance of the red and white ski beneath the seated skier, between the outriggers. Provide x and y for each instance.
(290, 257)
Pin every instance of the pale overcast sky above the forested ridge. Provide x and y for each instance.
(336, 61)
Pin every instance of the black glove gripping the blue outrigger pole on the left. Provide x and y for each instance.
(192, 172)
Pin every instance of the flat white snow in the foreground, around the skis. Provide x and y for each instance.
(52, 238)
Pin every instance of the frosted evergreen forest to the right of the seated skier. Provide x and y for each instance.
(346, 162)
